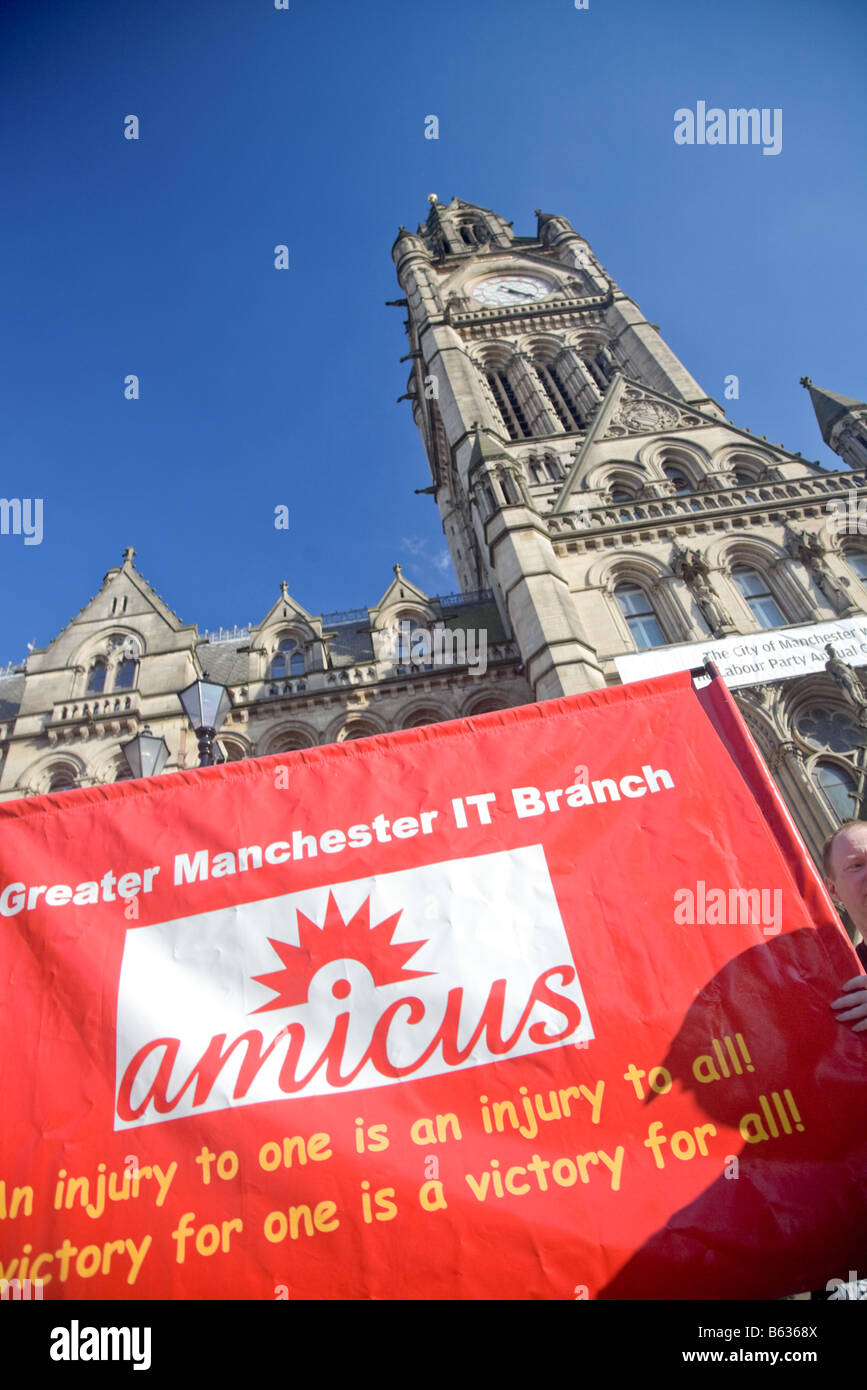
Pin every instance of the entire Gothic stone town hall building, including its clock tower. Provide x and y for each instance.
(595, 502)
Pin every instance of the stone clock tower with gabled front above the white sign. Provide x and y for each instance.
(581, 472)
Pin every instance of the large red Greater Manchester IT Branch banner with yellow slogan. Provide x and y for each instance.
(531, 1006)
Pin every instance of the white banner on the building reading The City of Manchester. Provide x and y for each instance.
(755, 658)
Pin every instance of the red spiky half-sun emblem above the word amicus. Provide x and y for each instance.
(338, 940)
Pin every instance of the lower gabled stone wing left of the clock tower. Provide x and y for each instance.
(295, 679)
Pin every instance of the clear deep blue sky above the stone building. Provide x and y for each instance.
(306, 127)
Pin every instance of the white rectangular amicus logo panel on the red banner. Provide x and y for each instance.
(345, 988)
